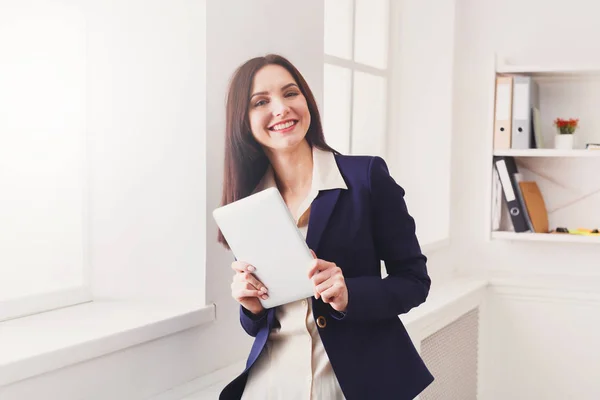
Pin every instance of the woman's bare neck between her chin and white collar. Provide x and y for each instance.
(293, 169)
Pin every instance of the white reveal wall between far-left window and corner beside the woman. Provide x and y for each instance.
(146, 126)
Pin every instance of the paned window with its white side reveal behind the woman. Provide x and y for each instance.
(388, 92)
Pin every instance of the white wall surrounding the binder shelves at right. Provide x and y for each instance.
(531, 334)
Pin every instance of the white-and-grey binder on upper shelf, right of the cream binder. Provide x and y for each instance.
(525, 100)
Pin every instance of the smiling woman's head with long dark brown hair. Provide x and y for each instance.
(250, 121)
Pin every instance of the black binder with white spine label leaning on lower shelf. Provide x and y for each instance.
(507, 168)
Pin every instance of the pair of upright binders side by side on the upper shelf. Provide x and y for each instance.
(517, 113)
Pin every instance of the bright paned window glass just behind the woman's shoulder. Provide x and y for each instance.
(356, 75)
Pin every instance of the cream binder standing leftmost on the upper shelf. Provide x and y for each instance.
(503, 112)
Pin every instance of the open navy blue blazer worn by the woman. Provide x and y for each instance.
(369, 349)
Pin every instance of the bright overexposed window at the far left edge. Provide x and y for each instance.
(42, 160)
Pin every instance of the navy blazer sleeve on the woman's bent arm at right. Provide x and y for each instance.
(372, 298)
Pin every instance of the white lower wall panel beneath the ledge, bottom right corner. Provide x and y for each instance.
(542, 345)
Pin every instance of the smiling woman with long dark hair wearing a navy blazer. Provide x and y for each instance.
(347, 341)
